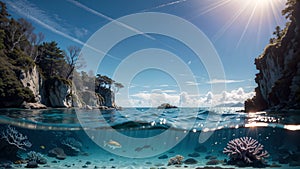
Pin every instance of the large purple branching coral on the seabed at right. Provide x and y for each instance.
(245, 150)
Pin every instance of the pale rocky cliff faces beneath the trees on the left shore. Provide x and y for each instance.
(57, 92)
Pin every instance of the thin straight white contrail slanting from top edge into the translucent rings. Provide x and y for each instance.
(109, 18)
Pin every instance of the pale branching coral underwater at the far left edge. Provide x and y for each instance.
(15, 138)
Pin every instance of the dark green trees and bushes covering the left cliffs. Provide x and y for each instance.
(21, 50)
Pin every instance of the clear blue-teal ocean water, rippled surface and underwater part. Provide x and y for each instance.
(148, 137)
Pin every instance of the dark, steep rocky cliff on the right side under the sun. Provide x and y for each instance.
(279, 72)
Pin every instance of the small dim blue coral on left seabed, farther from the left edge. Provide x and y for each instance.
(71, 146)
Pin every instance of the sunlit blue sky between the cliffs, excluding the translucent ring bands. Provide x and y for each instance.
(238, 29)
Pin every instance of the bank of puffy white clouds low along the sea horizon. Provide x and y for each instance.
(185, 99)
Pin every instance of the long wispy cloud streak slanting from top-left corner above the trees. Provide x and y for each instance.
(30, 11)
